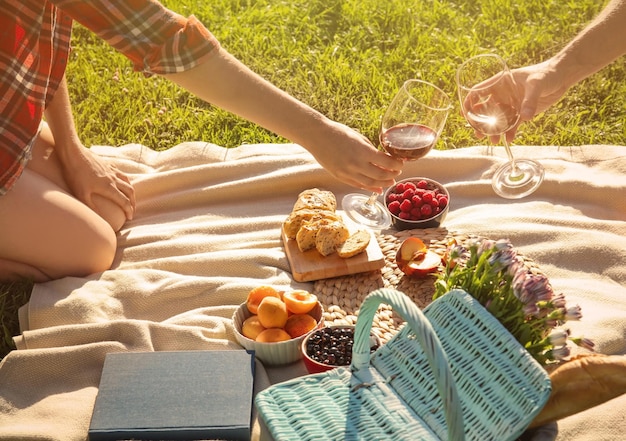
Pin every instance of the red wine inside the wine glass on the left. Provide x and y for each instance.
(408, 141)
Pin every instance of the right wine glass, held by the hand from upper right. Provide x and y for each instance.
(490, 102)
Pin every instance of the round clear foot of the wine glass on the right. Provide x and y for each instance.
(528, 177)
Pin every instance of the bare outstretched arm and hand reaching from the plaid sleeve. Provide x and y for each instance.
(345, 153)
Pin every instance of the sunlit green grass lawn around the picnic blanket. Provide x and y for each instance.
(346, 58)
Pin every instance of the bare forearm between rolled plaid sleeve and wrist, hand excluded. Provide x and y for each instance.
(228, 84)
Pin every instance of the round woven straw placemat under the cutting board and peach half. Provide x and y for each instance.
(342, 296)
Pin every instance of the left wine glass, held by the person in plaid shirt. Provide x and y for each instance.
(409, 129)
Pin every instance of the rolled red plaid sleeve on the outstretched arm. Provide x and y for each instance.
(155, 39)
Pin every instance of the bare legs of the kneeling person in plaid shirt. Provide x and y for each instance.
(46, 233)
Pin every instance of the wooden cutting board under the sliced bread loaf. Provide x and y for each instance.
(311, 265)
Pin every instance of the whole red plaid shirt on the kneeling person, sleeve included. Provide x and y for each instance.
(34, 47)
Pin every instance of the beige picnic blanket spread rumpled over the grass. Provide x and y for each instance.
(207, 230)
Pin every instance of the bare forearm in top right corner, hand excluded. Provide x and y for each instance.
(597, 45)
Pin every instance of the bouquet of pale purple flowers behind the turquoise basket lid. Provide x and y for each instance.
(524, 302)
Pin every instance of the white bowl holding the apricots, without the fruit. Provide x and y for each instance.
(273, 354)
